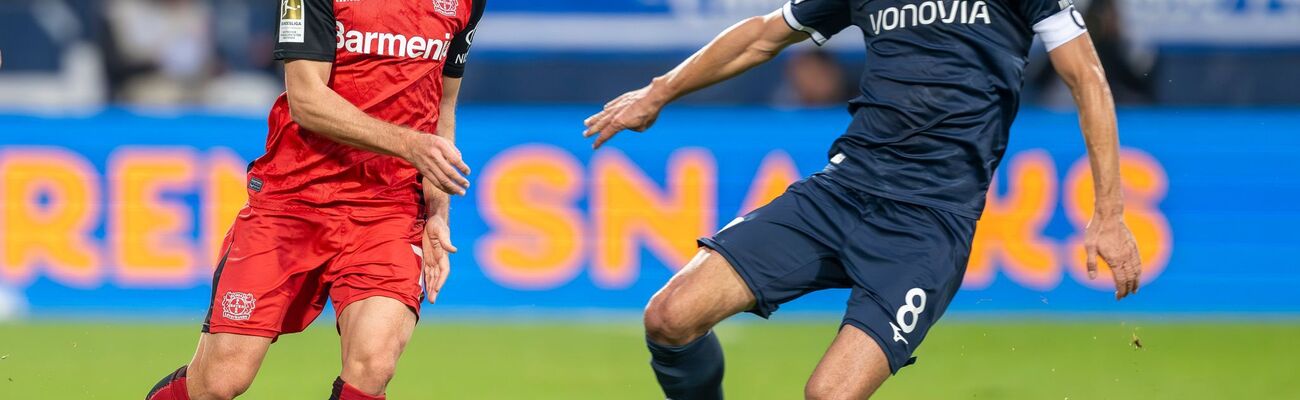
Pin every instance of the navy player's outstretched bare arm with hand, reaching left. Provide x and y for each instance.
(739, 49)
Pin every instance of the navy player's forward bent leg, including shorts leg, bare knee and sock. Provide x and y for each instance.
(773, 255)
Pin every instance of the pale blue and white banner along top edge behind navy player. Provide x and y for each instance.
(630, 25)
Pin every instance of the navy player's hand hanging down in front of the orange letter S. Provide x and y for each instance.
(1111, 240)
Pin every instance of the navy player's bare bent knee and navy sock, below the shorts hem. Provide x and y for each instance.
(686, 355)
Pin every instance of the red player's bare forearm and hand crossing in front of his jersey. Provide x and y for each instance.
(318, 108)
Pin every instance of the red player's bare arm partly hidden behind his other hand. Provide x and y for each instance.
(437, 232)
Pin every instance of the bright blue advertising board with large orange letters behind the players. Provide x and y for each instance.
(119, 214)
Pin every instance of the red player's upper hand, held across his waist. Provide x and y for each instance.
(439, 160)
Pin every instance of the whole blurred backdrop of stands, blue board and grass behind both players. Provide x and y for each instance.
(125, 127)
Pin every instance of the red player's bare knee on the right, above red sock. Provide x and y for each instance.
(374, 333)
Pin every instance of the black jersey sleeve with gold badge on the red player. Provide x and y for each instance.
(307, 31)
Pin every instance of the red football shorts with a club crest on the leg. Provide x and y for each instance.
(279, 268)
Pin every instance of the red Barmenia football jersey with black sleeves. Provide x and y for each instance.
(389, 60)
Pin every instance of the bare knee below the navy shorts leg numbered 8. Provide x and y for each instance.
(853, 368)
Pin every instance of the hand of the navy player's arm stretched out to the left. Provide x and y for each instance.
(635, 111)
